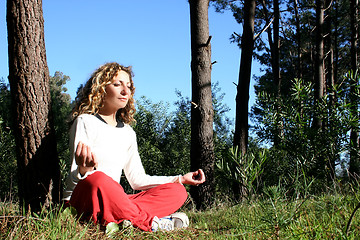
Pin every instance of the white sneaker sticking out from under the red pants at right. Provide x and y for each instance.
(169, 223)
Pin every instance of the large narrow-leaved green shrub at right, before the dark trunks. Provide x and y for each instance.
(304, 154)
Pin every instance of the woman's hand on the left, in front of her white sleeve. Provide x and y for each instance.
(85, 159)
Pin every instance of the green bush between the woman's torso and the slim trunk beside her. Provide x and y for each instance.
(163, 137)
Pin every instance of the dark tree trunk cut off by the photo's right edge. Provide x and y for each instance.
(354, 168)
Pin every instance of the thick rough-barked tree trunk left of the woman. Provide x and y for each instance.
(37, 160)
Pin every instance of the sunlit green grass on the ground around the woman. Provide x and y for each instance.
(268, 217)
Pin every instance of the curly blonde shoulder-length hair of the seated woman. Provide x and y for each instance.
(90, 98)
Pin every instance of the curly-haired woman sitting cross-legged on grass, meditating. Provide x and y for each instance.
(103, 145)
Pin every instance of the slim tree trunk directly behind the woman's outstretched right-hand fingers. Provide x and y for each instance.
(202, 148)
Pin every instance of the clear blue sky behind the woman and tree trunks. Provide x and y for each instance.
(151, 36)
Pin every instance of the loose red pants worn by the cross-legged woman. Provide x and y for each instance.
(100, 198)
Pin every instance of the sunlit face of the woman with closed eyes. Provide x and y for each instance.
(118, 92)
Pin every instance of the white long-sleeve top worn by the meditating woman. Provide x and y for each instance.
(115, 149)
